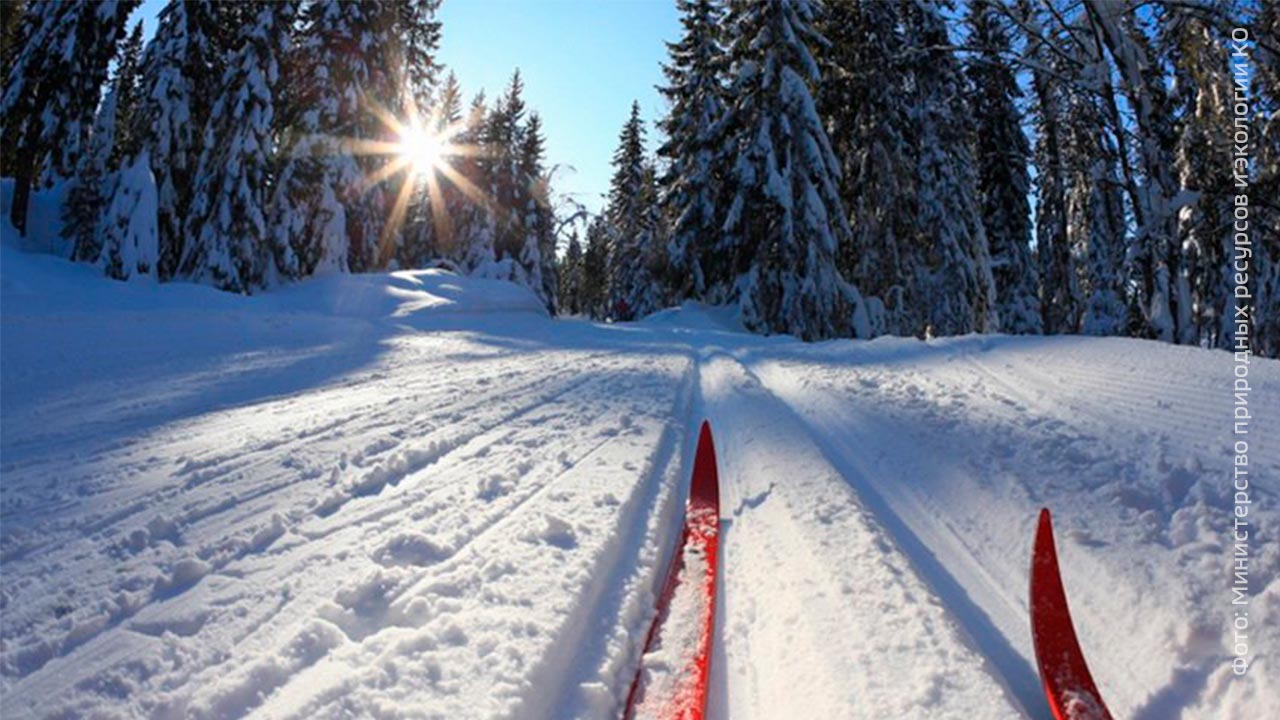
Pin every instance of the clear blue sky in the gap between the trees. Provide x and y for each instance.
(583, 62)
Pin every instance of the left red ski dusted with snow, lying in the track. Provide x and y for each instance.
(671, 682)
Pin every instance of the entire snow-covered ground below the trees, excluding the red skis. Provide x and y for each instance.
(415, 495)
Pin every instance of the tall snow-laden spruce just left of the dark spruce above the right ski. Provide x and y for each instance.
(953, 290)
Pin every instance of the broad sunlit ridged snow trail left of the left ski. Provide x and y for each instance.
(486, 553)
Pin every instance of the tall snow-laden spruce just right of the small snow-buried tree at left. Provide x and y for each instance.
(228, 220)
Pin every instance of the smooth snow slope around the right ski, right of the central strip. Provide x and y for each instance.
(956, 449)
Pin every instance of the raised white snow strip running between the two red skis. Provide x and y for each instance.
(810, 575)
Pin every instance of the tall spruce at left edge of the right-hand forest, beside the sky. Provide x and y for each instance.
(691, 183)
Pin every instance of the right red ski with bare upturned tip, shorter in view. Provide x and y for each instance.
(1068, 683)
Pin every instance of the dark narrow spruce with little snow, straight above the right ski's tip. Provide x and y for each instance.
(1002, 153)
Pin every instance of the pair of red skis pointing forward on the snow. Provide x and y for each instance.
(1068, 685)
